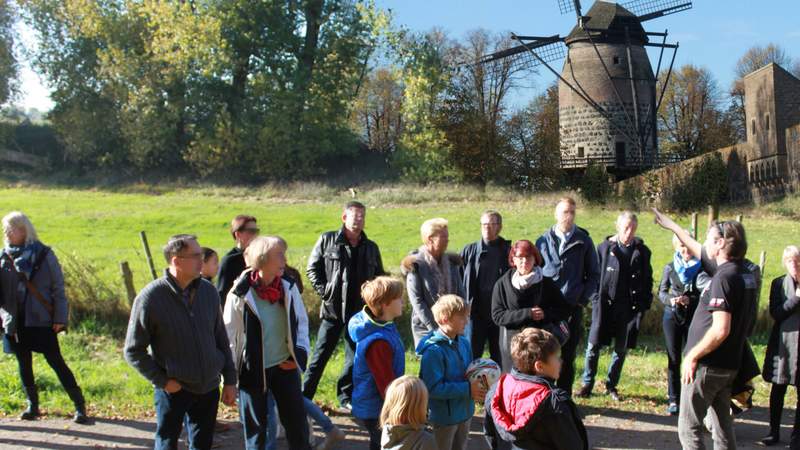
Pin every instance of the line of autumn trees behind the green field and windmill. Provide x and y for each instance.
(280, 90)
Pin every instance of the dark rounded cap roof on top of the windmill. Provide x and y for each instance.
(606, 22)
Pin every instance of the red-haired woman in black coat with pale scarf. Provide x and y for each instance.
(523, 298)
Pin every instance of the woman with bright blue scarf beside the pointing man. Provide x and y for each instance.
(681, 284)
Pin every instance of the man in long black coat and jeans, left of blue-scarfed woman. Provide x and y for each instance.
(626, 292)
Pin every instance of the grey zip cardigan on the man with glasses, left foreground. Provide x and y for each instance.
(187, 344)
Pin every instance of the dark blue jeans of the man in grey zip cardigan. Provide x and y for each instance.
(200, 411)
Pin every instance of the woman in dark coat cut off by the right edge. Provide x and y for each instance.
(782, 362)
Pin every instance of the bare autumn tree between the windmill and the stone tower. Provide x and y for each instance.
(690, 118)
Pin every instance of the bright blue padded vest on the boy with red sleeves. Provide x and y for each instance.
(363, 330)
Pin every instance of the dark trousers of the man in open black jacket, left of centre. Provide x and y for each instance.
(327, 339)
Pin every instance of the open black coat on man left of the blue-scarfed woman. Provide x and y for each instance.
(617, 314)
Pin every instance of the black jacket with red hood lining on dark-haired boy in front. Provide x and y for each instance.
(530, 412)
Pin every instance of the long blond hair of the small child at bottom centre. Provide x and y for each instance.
(406, 403)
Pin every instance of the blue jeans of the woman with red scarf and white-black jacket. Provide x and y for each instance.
(254, 413)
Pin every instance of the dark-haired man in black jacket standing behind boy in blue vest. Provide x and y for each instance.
(339, 264)
